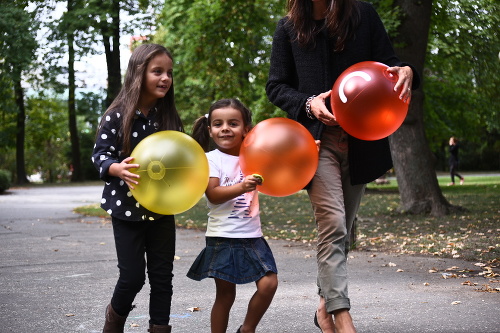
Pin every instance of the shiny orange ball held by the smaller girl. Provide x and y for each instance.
(283, 153)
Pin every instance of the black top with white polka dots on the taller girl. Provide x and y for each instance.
(117, 199)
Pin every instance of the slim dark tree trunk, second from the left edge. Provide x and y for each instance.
(75, 166)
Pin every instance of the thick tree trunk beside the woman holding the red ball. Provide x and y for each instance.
(414, 163)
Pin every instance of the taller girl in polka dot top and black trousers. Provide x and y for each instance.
(144, 105)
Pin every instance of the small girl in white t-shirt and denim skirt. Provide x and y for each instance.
(235, 252)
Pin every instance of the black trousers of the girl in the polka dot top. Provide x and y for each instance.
(141, 245)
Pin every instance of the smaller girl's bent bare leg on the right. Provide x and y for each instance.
(260, 301)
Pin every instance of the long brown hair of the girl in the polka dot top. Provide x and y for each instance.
(128, 98)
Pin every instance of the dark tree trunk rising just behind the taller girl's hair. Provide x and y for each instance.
(111, 33)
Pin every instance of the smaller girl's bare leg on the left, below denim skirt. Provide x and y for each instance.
(224, 299)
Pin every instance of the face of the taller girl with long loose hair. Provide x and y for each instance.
(157, 80)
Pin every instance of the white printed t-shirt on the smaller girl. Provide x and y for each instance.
(236, 218)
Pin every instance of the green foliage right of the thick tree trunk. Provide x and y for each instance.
(462, 77)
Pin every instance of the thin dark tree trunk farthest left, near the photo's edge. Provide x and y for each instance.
(21, 129)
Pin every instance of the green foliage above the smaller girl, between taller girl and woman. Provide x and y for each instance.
(236, 65)
